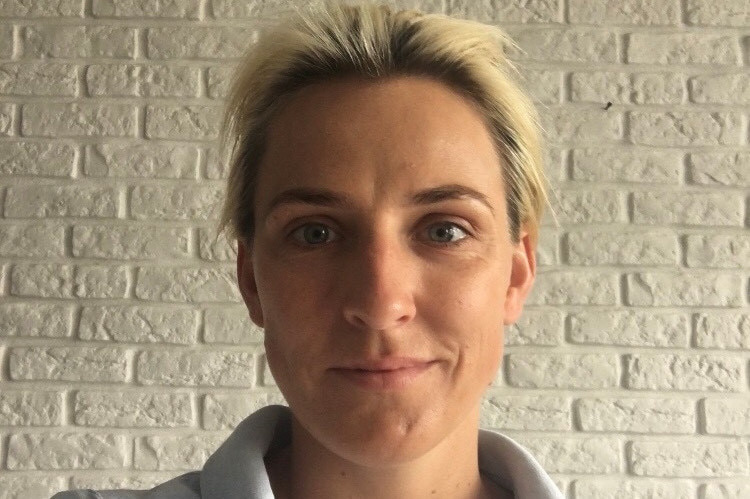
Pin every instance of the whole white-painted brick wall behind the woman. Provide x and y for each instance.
(125, 357)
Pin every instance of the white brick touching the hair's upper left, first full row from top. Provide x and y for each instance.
(197, 42)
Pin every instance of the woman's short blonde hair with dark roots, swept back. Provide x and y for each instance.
(374, 41)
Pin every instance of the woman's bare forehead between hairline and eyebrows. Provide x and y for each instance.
(381, 135)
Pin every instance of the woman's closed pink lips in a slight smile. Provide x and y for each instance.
(390, 373)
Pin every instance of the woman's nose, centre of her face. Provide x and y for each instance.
(382, 283)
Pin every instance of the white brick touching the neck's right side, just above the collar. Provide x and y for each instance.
(528, 413)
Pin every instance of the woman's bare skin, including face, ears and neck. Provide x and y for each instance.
(382, 234)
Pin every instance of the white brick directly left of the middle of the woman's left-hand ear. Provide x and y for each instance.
(170, 284)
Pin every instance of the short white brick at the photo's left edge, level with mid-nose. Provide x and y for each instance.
(41, 280)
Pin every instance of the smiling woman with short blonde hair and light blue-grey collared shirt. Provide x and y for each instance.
(385, 191)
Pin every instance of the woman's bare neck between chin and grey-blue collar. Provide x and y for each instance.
(307, 469)
